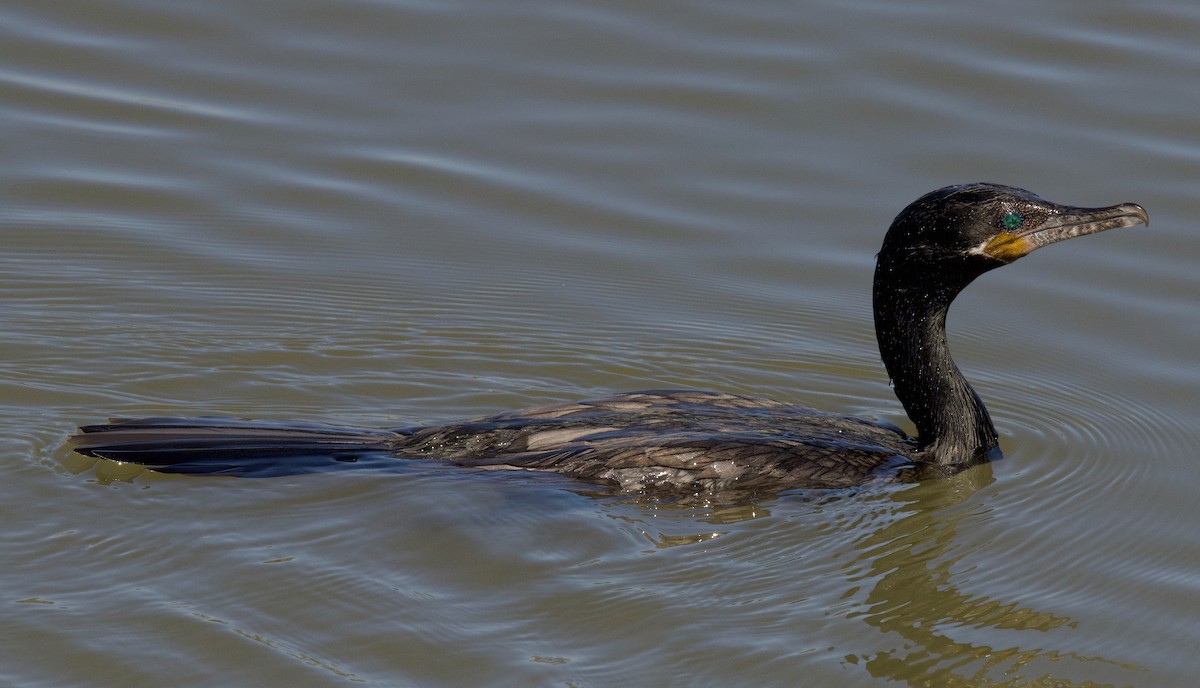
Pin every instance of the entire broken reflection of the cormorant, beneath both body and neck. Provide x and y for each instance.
(903, 582)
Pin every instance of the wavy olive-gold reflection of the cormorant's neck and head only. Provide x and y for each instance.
(915, 596)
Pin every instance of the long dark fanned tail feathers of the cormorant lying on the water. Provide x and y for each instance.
(231, 447)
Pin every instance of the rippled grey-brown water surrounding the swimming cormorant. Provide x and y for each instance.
(387, 213)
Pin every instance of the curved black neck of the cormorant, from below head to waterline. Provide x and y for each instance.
(953, 427)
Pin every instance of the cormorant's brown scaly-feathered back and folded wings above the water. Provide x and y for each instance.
(676, 440)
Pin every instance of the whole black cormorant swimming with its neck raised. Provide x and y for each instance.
(703, 441)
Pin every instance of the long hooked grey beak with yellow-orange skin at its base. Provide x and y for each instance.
(1066, 224)
